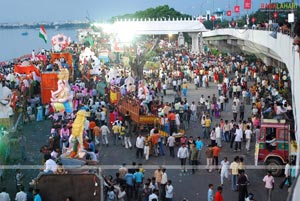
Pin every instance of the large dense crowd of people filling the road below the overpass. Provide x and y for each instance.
(239, 81)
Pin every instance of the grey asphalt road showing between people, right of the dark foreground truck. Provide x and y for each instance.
(194, 187)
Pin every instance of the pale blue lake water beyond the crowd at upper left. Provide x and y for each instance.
(13, 44)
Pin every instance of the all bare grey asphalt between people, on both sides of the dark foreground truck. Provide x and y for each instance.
(192, 187)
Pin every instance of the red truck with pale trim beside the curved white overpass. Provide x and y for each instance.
(275, 145)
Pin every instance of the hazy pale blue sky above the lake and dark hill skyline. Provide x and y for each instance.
(27, 11)
